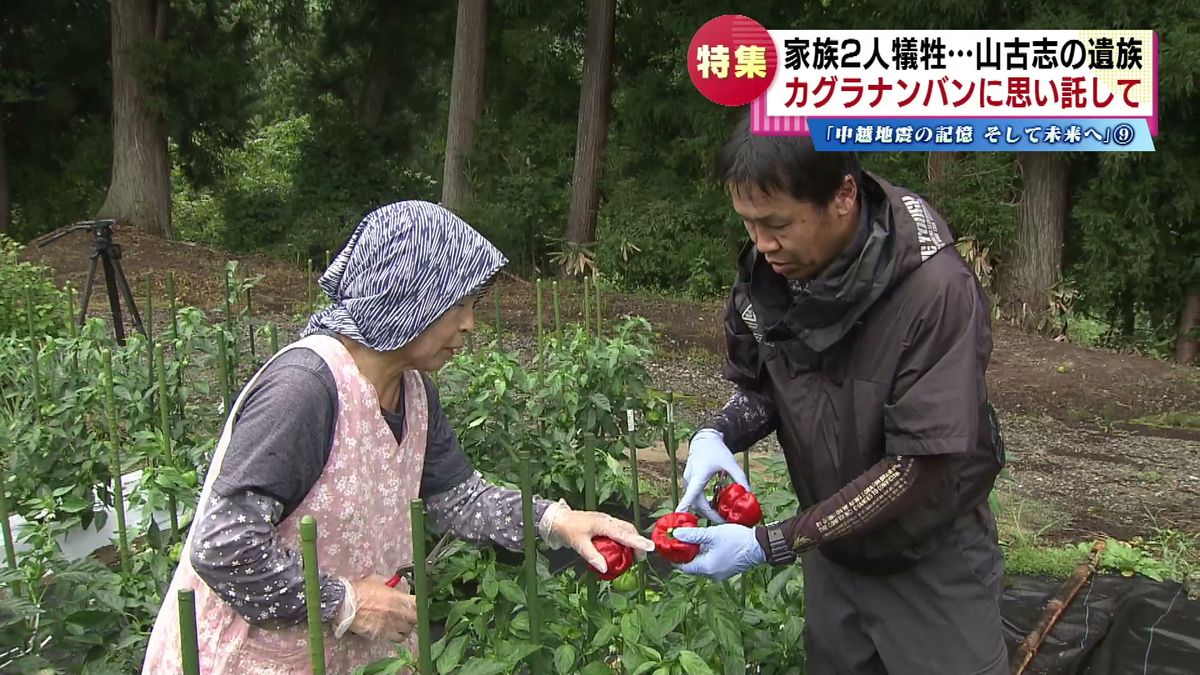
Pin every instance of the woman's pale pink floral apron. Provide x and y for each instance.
(362, 506)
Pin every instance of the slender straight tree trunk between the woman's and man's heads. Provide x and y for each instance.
(593, 130)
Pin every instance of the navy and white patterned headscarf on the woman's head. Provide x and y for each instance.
(405, 266)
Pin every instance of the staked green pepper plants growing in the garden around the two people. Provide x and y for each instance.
(95, 432)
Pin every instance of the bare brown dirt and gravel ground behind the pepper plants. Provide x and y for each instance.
(1069, 413)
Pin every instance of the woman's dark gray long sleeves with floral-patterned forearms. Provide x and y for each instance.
(281, 441)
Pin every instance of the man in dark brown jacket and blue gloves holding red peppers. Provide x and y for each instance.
(857, 334)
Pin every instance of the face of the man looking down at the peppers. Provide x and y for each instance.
(799, 240)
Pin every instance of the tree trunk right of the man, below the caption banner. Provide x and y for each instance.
(1035, 262)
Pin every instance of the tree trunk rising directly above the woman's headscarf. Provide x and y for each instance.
(466, 100)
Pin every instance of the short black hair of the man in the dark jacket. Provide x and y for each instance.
(784, 163)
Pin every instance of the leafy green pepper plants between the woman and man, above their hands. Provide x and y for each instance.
(569, 402)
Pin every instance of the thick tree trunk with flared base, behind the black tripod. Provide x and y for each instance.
(140, 190)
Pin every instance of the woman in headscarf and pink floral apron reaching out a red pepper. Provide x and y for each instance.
(345, 427)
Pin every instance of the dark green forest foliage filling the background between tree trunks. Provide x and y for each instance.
(275, 151)
